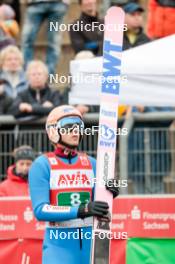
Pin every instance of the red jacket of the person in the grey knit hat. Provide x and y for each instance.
(13, 185)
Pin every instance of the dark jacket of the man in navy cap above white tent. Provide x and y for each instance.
(140, 40)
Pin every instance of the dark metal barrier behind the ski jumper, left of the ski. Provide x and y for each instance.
(14, 133)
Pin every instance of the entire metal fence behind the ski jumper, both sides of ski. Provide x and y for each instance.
(145, 156)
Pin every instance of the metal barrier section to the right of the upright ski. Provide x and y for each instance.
(146, 154)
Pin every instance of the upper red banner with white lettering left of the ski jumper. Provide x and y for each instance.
(17, 219)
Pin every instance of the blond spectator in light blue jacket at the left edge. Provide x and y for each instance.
(11, 63)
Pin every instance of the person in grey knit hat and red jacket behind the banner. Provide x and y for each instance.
(16, 183)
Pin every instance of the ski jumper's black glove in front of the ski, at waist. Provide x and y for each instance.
(97, 208)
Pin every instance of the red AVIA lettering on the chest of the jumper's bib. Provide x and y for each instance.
(73, 179)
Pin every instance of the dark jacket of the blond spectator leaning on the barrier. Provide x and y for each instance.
(30, 96)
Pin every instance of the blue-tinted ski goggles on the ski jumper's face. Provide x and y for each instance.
(68, 124)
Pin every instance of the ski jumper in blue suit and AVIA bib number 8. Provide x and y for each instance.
(62, 191)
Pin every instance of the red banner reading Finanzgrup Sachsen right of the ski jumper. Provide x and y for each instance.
(145, 216)
